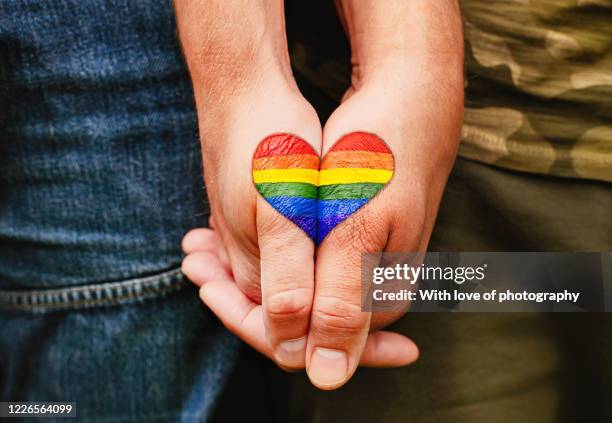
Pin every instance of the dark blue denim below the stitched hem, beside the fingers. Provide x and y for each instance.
(129, 358)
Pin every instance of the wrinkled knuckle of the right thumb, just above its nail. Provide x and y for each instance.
(338, 315)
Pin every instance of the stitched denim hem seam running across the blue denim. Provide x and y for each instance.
(109, 293)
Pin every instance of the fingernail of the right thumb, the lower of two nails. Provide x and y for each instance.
(328, 367)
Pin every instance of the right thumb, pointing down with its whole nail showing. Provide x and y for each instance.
(339, 328)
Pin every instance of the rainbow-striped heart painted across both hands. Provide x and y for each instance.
(318, 196)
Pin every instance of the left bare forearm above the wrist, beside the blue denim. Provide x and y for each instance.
(231, 44)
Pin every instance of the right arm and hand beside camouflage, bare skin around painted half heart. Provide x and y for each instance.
(407, 88)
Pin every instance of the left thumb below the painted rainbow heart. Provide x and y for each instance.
(287, 283)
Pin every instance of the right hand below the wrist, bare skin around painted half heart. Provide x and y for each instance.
(421, 129)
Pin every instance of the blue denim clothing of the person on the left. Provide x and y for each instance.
(100, 177)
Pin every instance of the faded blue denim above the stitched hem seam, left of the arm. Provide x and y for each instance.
(99, 160)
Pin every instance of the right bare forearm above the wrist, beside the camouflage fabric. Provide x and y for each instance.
(425, 35)
